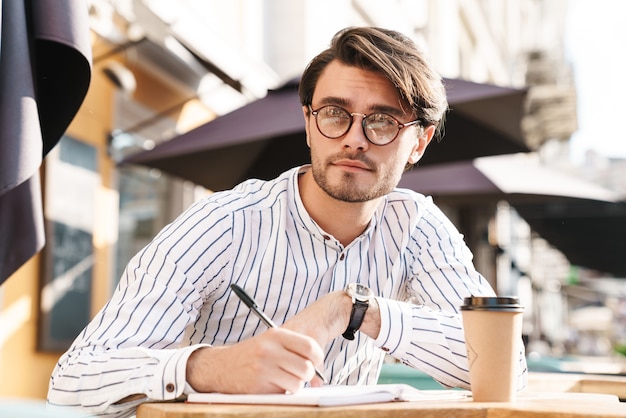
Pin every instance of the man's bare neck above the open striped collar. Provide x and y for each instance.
(343, 220)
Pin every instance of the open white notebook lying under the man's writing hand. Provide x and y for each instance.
(334, 395)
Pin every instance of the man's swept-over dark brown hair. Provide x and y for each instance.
(392, 54)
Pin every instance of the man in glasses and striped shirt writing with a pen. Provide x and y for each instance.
(301, 245)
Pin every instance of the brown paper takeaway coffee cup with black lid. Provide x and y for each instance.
(493, 331)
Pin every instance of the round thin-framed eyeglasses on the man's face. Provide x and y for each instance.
(379, 128)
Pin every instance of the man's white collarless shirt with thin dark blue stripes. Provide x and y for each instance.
(174, 295)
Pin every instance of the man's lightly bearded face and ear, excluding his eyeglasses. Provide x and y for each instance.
(350, 168)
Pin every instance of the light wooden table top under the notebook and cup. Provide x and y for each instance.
(553, 405)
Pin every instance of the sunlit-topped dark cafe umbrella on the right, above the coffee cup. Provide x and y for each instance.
(584, 221)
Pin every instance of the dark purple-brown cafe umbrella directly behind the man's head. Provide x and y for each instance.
(266, 136)
